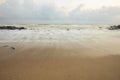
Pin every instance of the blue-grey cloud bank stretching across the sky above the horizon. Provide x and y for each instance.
(28, 12)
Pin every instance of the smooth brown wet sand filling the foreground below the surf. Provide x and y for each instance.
(68, 61)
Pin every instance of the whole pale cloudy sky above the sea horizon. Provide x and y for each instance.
(60, 11)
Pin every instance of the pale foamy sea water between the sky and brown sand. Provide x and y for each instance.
(57, 33)
